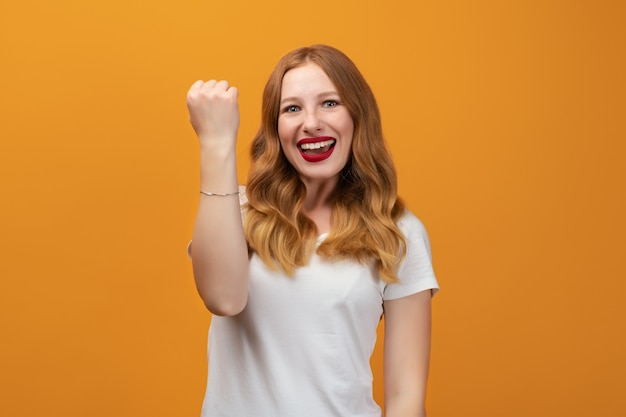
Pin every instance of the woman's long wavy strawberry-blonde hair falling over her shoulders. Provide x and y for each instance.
(366, 206)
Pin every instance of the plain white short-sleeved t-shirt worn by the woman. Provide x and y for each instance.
(302, 345)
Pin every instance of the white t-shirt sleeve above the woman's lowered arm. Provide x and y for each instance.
(416, 272)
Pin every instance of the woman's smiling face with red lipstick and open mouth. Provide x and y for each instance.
(314, 127)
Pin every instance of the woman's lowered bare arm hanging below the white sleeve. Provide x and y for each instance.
(407, 354)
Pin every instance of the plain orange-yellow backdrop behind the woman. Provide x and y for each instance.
(506, 120)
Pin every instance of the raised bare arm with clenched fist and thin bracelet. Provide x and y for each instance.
(219, 253)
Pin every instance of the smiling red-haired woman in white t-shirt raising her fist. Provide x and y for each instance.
(299, 266)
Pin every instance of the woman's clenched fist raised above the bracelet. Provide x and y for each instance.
(214, 112)
